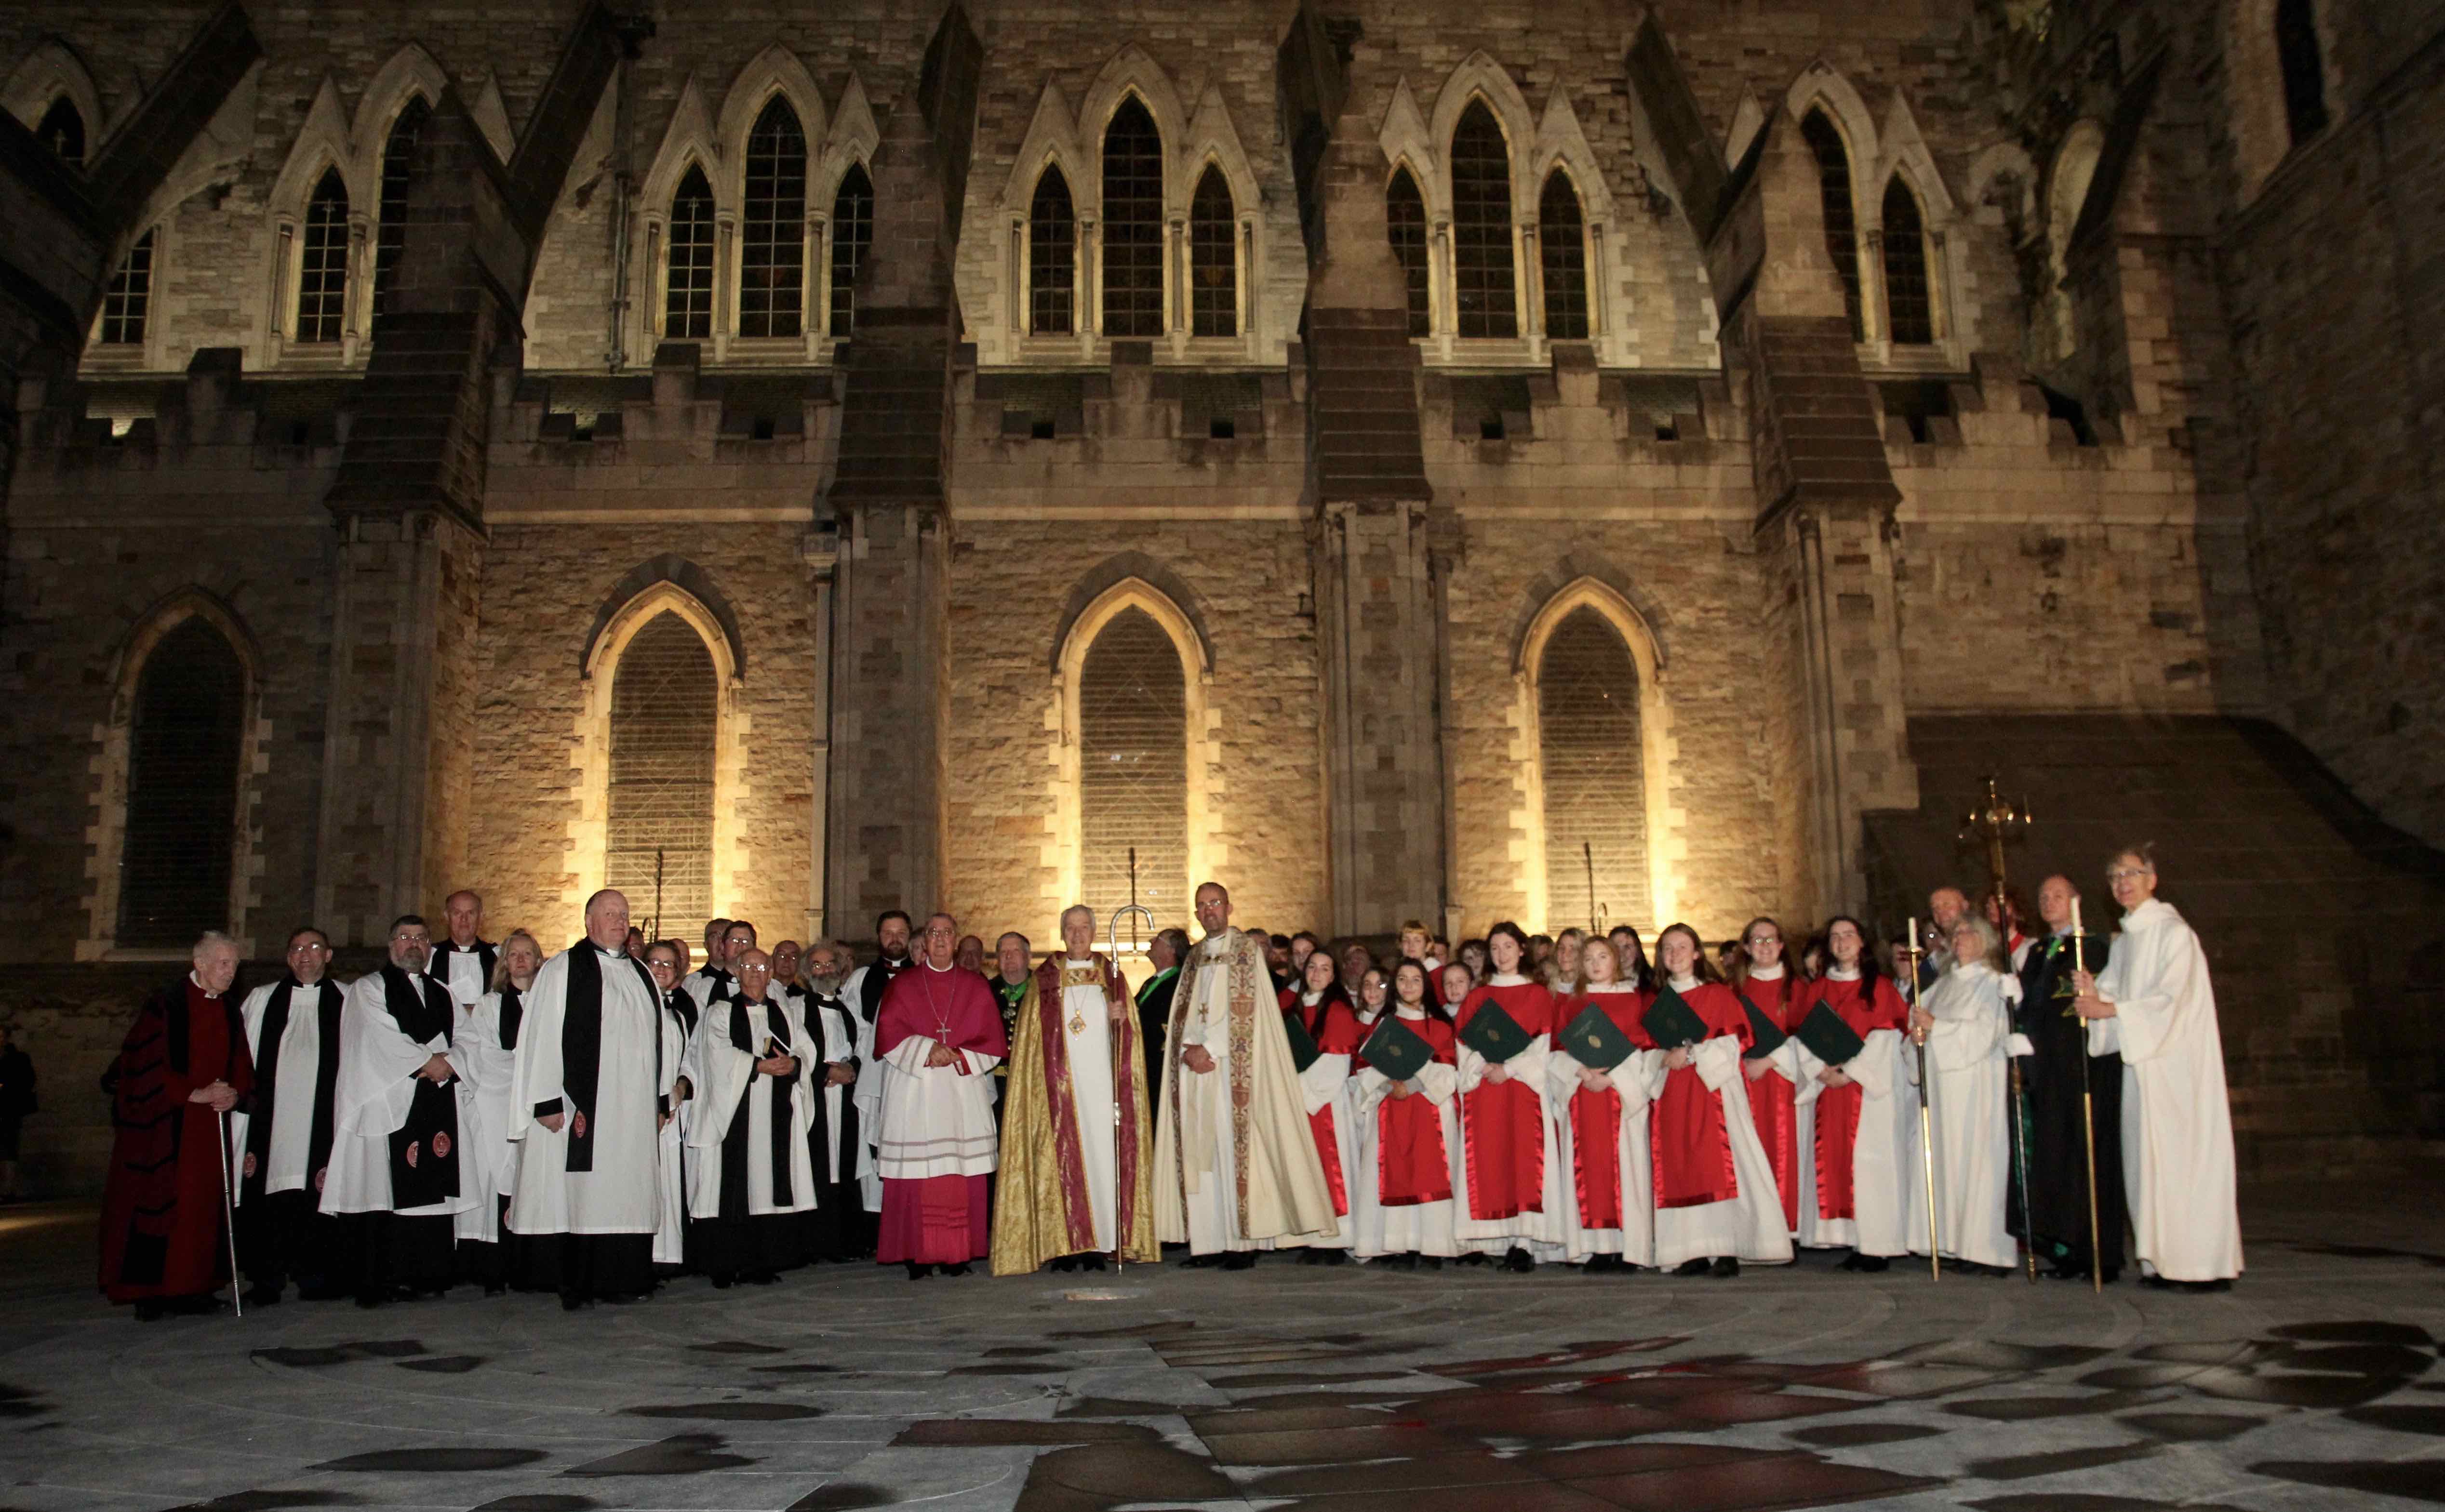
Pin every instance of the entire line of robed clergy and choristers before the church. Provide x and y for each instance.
(595, 1120)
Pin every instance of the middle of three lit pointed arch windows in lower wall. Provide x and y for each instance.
(1133, 768)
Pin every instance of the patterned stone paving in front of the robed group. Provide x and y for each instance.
(2317, 1384)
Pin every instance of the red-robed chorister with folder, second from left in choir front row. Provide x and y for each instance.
(1402, 1181)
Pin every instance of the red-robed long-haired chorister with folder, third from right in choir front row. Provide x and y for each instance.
(1715, 1191)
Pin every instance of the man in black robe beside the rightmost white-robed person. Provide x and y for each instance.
(2053, 1088)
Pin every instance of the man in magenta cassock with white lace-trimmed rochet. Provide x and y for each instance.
(938, 1039)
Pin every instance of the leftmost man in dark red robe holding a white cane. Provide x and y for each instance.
(185, 1066)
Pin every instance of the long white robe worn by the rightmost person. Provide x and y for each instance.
(2177, 1125)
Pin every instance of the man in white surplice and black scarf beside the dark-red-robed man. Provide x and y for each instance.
(285, 1139)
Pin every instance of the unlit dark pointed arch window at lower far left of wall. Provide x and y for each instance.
(182, 788)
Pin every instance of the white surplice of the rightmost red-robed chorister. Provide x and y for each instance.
(1884, 1149)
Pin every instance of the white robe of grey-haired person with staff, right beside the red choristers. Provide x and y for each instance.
(1967, 1064)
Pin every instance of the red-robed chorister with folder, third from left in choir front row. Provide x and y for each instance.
(1505, 1125)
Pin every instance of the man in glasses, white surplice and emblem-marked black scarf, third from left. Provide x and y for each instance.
(402, 1122)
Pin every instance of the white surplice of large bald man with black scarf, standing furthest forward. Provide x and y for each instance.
(622, 1193)
